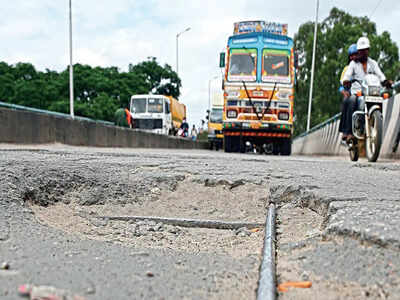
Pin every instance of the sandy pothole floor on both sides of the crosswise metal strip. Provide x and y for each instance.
(222, 202)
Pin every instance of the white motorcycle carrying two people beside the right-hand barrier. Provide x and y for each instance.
(367, 121)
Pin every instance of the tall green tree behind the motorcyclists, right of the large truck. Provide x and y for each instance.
(335, 34)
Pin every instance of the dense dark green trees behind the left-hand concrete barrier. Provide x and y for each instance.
(98, 91)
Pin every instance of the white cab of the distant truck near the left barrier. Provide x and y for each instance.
(148, 112)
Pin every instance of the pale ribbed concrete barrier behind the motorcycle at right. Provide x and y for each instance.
(324, 139)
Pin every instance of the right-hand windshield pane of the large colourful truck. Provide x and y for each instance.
(276, 66)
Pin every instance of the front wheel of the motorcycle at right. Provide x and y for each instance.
(374, 142)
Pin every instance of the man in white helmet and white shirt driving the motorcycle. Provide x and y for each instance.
(358, 70)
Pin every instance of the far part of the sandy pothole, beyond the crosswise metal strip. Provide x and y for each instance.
(223, 201)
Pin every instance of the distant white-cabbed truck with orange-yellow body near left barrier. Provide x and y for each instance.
(157, 113)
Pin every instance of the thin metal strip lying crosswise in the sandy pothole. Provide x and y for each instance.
(212, 224)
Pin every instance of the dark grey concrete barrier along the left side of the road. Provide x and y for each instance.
(25, 125)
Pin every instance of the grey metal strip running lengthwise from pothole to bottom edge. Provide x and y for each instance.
(267, 282)
